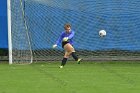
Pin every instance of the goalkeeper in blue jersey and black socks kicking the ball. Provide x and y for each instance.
(66, 39)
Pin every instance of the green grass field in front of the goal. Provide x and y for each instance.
(88, 77)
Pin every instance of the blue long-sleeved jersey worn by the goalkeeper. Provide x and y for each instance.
(65, 34)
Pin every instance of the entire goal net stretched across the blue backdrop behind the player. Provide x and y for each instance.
(37, 24)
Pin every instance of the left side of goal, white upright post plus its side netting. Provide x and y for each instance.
(18, 36)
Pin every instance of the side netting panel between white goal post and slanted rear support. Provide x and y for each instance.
(21, 48)
